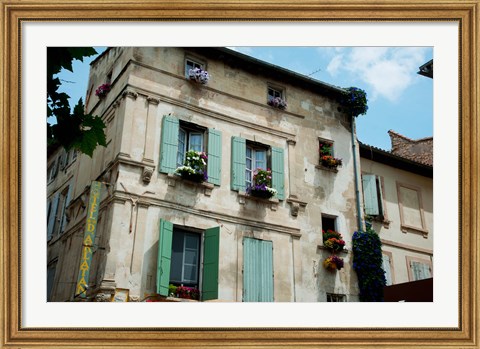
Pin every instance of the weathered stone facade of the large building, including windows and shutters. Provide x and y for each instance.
(155, 228)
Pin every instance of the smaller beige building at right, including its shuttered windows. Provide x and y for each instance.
(398, 196)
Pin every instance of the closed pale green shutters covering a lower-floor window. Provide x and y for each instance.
(257, 270)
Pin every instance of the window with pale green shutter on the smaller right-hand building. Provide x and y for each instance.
(373, 196)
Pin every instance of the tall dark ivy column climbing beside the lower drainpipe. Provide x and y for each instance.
(367, 263)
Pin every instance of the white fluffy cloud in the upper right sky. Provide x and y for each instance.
(387, 71)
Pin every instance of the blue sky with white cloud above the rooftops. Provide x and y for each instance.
(399, 99)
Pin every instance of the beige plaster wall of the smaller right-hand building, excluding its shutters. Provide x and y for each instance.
(406, 231)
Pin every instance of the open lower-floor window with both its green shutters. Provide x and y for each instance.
(188, 258)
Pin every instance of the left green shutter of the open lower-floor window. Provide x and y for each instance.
(164, 257)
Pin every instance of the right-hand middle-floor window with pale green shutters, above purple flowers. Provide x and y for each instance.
(248, 156)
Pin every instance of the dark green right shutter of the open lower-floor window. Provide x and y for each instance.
(211, 249)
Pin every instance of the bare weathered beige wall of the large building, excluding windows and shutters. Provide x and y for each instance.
(149, 83)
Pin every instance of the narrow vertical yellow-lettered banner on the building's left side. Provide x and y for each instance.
(88, 240)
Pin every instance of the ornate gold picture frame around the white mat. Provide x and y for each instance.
(14, 13)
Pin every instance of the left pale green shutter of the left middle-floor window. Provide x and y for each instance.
(169, 144)
